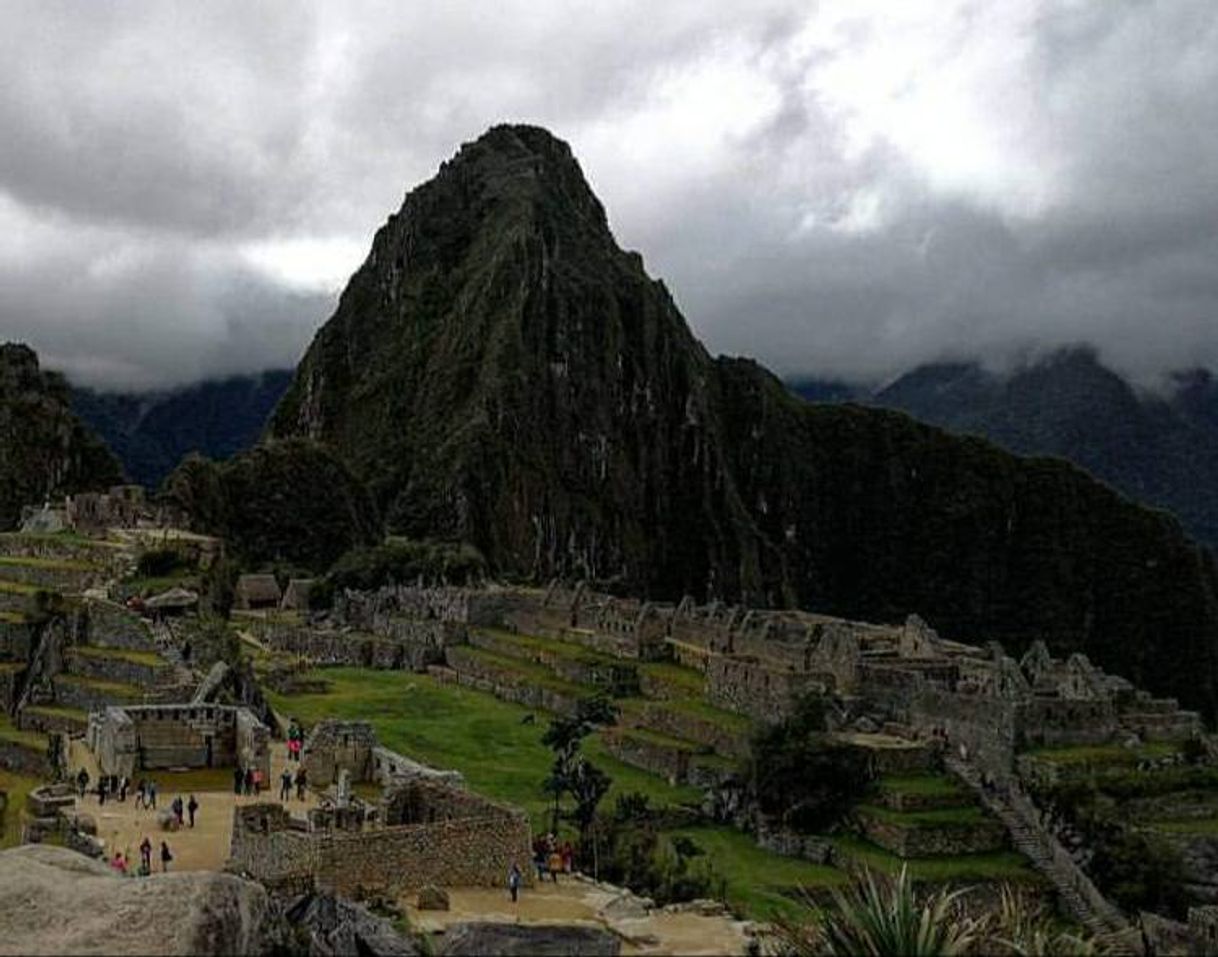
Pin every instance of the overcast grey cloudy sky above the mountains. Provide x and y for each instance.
(843, 188)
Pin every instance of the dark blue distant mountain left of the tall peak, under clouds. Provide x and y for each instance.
(154, 432)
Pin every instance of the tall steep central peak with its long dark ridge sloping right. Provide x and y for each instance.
(500, 372)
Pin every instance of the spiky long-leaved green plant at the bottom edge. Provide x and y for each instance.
(879, 916)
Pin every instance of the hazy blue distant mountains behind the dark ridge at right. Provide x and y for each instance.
(1160, 450)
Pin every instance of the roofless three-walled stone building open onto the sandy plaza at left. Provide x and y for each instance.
(127, 741)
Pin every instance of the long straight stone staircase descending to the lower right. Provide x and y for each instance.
(1079, 894)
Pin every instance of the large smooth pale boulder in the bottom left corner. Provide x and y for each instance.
(57, 902)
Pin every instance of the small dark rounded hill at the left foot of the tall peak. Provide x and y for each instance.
(284, 502)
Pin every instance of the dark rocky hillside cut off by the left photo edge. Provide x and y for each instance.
(44, 449)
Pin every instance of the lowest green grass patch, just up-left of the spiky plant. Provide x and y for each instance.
(759, 883)
